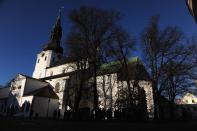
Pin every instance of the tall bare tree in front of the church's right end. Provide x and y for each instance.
(160, 46)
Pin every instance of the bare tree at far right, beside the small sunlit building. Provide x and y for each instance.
(179, 75)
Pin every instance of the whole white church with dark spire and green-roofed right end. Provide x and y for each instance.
(53, 84)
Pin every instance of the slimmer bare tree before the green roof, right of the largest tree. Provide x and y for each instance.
(119, 50)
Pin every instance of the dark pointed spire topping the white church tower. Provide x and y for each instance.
(55, 37)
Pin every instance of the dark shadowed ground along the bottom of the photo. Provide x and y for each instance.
(15, 124)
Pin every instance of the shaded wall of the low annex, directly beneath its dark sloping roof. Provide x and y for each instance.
(44, 106)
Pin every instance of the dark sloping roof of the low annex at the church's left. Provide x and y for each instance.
(46, 91)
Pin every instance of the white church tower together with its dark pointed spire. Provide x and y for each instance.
(52, 51)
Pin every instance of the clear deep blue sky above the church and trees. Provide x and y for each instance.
(25, 25)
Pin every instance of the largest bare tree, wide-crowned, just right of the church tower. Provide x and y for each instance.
(91, 30)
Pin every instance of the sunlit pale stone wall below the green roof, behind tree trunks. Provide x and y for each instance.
(115, 84)
